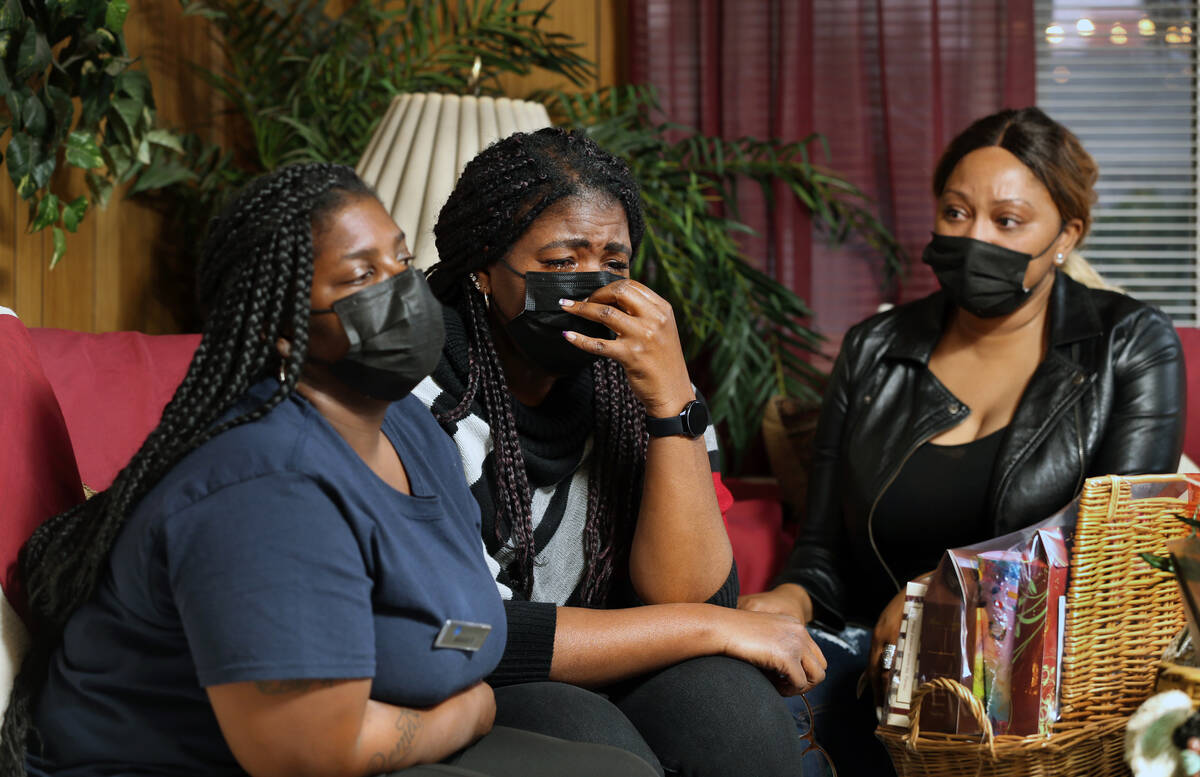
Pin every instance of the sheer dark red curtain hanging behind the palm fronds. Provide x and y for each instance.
(887, 85)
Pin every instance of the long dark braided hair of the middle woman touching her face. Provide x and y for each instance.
(499, 197)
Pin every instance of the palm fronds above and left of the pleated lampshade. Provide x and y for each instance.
(313, 86)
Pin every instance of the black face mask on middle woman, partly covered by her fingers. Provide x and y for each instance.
(538, 330)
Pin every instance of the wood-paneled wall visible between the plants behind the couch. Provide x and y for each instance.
(116, 275)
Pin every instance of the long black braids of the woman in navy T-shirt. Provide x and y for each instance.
(255, 282)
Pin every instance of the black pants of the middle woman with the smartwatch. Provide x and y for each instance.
(706, 718)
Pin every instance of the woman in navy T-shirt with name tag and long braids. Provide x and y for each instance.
(263, 588)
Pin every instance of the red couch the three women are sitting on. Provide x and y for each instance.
(89, 401)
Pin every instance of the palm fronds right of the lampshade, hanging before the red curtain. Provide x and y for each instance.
(747, 328)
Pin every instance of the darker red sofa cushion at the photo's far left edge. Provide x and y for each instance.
(39, 477)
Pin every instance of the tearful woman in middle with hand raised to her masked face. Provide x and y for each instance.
(565, 387)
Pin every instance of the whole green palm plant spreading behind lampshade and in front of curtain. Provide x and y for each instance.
(311, 86)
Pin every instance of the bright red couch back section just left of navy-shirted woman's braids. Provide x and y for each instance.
(112, 389)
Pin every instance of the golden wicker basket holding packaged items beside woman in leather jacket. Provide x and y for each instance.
(1119, 619)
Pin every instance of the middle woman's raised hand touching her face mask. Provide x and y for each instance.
(647, 344)
